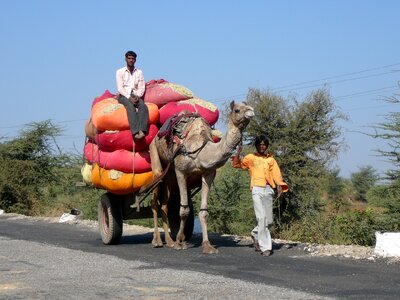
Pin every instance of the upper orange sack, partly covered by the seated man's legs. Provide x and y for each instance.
(108, 114)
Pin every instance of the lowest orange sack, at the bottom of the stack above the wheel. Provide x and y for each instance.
(118, 182)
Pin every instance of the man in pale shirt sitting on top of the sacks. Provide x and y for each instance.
(131, 87)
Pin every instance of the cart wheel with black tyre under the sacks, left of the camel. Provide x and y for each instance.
(110, 219)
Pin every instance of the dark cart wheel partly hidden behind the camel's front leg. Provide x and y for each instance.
(174, 219)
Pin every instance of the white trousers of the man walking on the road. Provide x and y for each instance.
(263, 202)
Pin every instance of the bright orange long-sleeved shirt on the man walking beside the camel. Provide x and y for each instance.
(263, 170)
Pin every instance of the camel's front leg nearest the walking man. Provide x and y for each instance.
(206, 181)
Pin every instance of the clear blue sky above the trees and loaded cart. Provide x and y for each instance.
(57, 56)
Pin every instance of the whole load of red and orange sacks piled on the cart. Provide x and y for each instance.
(114, 161)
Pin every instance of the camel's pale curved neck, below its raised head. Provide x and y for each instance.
(214, 155)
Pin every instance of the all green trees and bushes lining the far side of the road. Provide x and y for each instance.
(37, 178)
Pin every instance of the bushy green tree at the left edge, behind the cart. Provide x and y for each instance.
(30, 165)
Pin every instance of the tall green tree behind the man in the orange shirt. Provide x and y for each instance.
(304, 138)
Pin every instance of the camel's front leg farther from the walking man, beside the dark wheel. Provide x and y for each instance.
(183, 211)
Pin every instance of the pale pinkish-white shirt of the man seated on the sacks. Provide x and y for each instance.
(128, 82)
